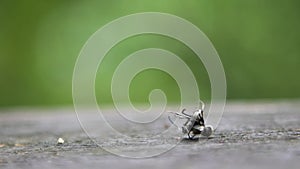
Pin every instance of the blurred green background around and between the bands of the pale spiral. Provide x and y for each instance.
(258, 43)
